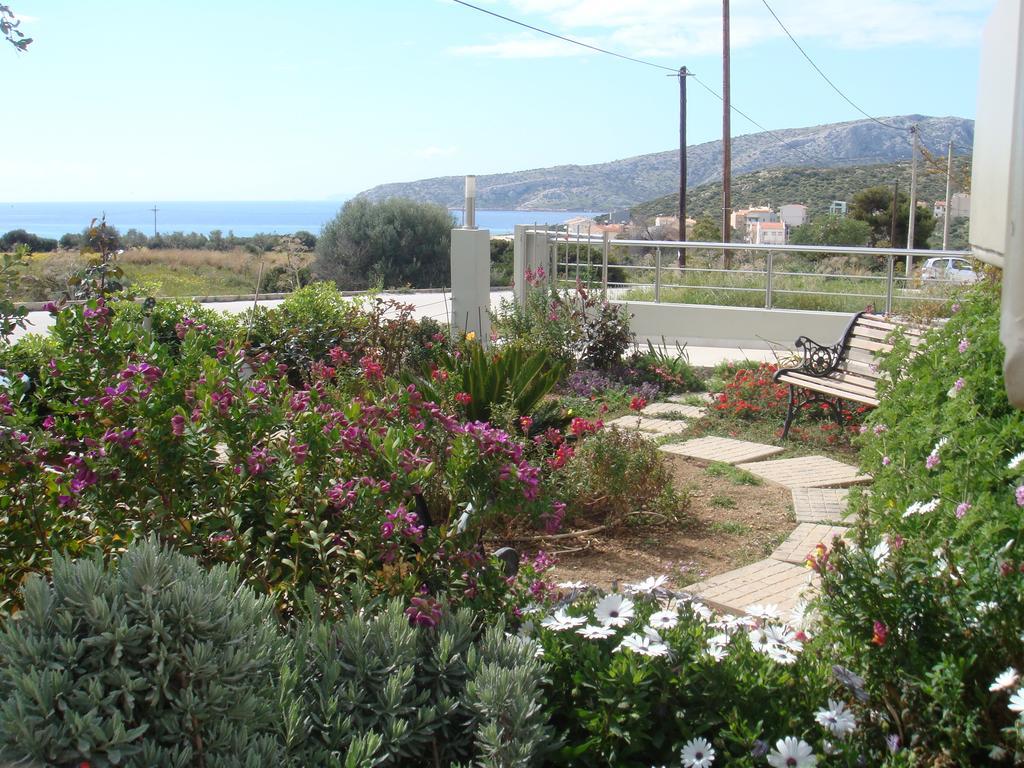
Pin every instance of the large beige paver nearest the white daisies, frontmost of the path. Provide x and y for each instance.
(765, 582)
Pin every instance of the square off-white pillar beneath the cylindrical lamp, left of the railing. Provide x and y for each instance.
(472, 283)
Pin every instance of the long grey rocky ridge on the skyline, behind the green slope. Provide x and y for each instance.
(622, 184)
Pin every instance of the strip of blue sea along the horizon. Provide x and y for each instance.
(245, 220)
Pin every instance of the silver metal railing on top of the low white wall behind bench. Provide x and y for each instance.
(573, 259)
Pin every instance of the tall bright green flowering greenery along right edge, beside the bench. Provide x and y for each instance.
(926, 607)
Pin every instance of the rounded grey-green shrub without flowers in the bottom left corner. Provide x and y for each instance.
(154, 662)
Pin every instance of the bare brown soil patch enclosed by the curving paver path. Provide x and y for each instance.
(727, 526)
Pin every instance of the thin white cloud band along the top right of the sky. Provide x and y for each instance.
(674, 29)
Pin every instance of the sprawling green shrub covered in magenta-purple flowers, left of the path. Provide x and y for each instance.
(215, 448)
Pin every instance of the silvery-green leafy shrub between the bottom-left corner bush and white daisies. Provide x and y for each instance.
(413, 687)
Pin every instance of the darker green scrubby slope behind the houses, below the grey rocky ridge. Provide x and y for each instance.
(816, 188)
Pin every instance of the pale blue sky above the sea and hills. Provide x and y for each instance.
(225, 100)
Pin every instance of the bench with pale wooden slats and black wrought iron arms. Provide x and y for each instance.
(846, 370)
